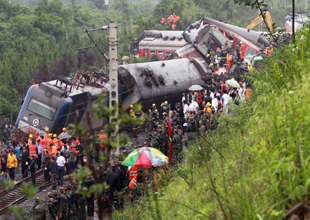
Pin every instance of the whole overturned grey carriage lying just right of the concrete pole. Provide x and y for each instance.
(155, 82)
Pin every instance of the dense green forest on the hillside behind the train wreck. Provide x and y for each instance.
(40, 41)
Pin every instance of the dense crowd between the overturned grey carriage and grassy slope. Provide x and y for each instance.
(197, 112)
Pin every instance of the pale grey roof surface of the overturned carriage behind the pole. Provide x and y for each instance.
(178, 74)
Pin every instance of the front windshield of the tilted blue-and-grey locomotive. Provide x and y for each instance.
(42, 109)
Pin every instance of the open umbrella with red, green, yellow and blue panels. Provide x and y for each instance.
(146, 157)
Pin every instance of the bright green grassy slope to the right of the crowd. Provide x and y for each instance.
(258, 166)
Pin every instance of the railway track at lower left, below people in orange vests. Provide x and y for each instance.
(16, 196)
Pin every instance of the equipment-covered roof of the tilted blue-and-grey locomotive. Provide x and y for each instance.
(76, 85)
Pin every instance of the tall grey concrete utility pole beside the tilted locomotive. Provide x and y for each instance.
(113, 96)
